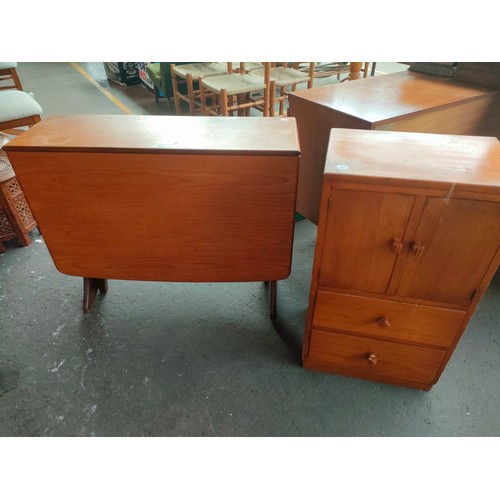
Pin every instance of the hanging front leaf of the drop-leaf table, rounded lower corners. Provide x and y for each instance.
(163, 217)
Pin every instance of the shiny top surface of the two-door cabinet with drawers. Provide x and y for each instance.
(379, 156)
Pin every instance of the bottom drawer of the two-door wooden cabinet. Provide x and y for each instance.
(373, 359)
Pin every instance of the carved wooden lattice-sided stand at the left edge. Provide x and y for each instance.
(16, 219)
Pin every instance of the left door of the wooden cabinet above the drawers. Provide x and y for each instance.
(361, 228)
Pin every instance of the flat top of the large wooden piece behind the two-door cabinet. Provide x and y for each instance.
(384, 97)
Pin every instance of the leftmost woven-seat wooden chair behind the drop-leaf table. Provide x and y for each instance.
(190, 74)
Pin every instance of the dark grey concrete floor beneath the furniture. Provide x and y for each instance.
(163, 359)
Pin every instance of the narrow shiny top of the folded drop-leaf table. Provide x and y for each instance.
(161, 134)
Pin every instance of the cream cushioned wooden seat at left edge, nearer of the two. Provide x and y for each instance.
(18, 109)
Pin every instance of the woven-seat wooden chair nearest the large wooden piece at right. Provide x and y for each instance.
(282, 77)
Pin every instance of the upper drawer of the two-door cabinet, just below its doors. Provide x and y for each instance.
(386, 318)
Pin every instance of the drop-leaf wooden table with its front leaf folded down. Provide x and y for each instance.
(162, 198)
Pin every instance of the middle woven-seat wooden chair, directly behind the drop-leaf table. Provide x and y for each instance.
(236, 91)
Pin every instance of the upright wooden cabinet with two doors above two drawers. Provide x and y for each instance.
(408, 240)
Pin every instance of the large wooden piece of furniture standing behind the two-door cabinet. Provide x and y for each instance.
(403, 101)
